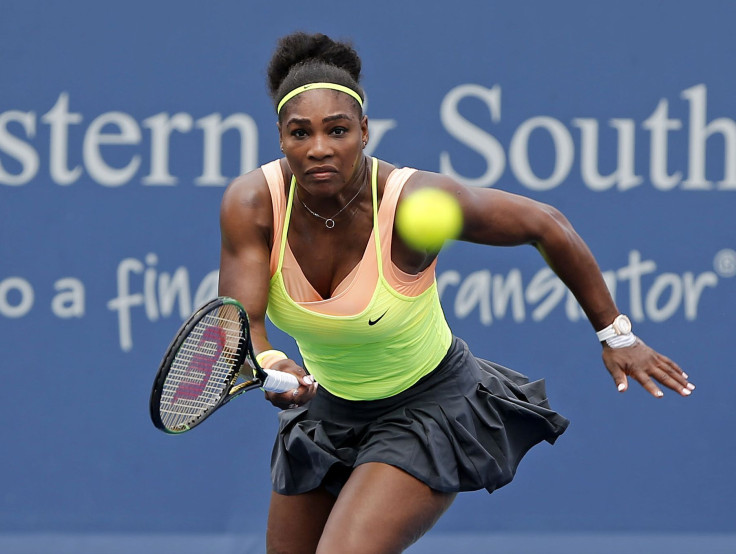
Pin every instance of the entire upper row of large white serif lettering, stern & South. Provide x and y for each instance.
(112, 150)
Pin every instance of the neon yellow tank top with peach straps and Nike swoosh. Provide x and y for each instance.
(379, 350)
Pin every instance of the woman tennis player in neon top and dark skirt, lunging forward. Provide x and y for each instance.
(405, 416)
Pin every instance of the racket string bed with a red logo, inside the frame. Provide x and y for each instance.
(203, 369)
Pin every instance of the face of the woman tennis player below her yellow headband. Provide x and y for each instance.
(322, 135)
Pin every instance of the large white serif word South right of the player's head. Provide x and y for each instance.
(659, 125)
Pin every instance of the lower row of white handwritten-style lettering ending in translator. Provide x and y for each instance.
(146, 293)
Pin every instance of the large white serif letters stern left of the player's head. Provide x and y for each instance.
(117, 135)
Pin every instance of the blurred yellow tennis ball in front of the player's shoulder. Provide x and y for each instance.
(428, 217)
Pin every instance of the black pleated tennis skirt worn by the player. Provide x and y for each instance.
(465, 426)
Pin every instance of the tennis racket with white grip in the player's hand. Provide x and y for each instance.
(202, 368)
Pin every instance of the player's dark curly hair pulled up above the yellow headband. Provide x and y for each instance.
(301, 58)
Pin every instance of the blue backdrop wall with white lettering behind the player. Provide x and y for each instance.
(120, 126)
